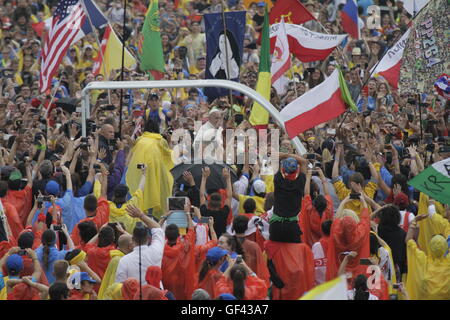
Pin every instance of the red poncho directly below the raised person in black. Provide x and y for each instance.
(294, 263)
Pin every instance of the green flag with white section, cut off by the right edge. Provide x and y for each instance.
(434, 181)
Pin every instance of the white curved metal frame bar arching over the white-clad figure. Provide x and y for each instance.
(104, 85)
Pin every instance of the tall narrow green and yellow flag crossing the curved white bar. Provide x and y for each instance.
(259, 116)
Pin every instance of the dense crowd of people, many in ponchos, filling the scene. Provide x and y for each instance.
(86, 218)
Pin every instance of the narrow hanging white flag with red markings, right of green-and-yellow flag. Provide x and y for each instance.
(281, 61)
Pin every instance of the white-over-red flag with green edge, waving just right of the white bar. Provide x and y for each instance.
(324, 102)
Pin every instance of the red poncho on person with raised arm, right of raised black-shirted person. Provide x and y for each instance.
(348, 235)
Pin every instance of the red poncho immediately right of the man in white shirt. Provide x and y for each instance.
(178, 266)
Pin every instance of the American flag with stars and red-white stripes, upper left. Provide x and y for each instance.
(65, 29)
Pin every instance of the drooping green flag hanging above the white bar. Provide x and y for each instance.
(150, 46)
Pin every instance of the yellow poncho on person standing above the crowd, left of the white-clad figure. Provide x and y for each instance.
(152, 150)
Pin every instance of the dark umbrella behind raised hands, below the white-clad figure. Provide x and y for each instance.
(215, 180)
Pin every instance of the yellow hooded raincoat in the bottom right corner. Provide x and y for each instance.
(428, 275)
